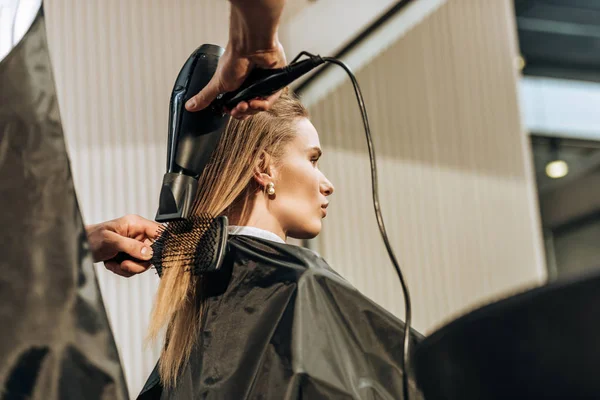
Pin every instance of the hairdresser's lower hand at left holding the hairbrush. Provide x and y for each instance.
(130, 234)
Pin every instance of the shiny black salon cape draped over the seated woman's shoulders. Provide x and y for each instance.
(281, 324)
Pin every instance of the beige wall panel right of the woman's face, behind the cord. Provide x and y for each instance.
(456, 183)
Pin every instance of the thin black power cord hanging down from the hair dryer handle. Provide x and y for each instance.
(380, 223)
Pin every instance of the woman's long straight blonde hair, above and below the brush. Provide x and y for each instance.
(226, 183)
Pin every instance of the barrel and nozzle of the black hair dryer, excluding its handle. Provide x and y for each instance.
(192, 135)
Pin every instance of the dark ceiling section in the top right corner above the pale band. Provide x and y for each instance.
(560, 38)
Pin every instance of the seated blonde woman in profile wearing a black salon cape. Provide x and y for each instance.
(275, 321)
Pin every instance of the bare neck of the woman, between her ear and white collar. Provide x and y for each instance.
(258, 215)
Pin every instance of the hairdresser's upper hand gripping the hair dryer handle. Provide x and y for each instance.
(232, 70)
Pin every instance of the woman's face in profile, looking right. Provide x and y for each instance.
(301, 189)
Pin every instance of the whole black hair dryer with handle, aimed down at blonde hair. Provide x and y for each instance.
(193, 136)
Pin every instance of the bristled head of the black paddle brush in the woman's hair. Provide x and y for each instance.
(191, 244)
